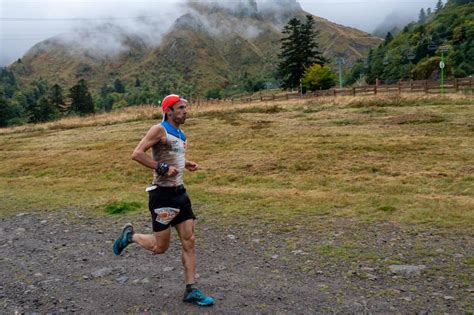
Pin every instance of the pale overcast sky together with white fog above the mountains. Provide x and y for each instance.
(99, 26)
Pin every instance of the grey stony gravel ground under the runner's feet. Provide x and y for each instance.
(62, 262)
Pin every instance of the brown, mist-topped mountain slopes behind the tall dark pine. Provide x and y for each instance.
(208, 46)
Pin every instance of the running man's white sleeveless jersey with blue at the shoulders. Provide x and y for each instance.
(172, 153)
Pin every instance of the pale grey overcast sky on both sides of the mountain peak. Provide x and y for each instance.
(26, 22)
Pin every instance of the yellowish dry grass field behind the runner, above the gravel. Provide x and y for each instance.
(403, 160)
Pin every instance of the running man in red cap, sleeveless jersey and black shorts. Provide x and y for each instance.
(169, 203)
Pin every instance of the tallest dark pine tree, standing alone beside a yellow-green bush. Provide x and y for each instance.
(299, 51)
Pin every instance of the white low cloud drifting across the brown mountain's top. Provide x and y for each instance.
(104, 39)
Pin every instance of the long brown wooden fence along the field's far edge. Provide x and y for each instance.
(422, 86)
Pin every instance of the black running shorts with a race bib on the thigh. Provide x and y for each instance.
(169, 207)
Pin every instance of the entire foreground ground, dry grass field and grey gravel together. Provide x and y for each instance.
(322, 217)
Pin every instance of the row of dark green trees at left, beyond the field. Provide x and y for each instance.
(39, 101)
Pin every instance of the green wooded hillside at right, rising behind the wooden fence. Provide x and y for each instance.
(415, 53)
